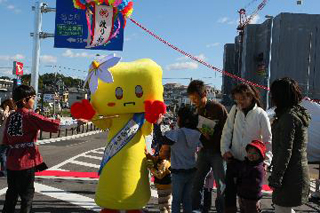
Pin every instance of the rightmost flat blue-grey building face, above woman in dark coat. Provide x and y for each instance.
(296, 50)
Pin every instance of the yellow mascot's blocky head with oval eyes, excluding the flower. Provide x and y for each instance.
(134, 83)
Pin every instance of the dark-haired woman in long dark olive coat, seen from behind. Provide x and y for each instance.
(290, 174)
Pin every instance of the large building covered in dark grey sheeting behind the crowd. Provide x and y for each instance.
(294, 40)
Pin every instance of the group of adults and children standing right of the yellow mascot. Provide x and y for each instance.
(237, 154)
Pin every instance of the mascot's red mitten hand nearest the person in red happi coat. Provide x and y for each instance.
(82, 110)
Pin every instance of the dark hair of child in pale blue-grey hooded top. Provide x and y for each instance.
(187, 118)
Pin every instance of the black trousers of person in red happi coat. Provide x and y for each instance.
(20, 183)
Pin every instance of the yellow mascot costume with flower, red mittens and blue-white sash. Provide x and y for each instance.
(126, 98)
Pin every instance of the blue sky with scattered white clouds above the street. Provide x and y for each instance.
(201, 29)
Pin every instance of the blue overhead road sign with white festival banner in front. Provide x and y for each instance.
(72, 31)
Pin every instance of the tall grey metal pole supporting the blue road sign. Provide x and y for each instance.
(36, 48)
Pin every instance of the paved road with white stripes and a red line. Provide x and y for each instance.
(76, 194)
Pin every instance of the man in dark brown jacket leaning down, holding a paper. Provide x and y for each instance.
(209, 156)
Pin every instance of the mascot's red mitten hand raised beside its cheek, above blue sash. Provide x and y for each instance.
(153, 109)
